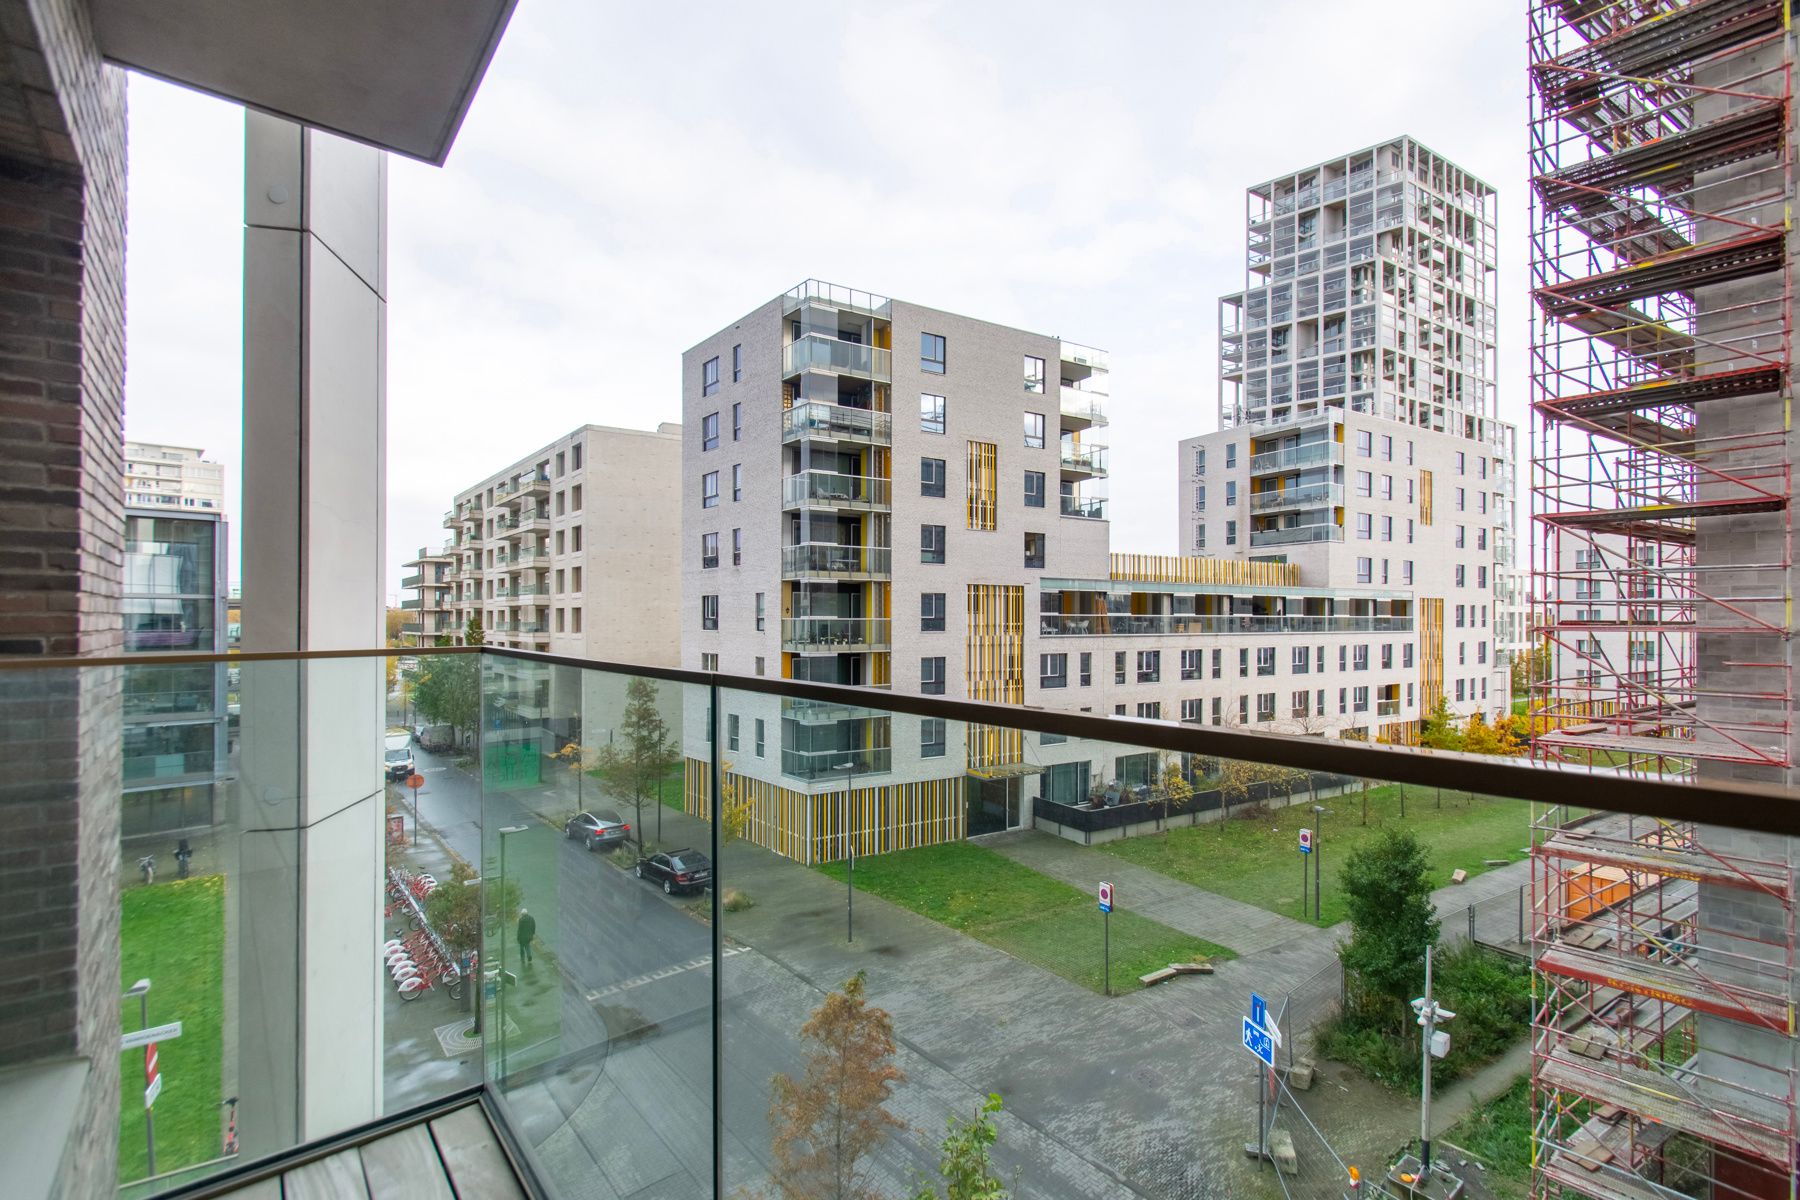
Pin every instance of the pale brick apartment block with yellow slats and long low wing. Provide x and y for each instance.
(881, 494)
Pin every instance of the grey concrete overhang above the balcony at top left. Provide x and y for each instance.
(397, 75)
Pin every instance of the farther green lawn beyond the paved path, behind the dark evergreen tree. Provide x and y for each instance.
(1257, 859)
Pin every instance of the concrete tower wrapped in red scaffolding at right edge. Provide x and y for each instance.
(1662, 327)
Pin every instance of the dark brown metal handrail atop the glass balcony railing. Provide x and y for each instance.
(1754, 807)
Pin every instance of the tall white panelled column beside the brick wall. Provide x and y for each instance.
(314, 528)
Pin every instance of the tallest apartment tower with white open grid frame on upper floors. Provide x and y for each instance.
(1358, 406)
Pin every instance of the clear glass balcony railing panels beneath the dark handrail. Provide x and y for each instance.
(654, 1008)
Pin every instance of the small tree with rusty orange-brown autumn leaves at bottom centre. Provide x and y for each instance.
(838, 1111)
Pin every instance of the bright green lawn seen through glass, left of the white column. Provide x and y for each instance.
(174, 935)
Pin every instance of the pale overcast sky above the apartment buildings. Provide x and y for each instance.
(634, 177)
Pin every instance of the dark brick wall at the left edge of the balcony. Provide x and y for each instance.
(62, 550)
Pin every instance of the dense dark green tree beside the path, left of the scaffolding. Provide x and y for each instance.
(1389, 891)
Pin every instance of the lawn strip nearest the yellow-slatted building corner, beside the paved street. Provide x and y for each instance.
(1023, 913)
